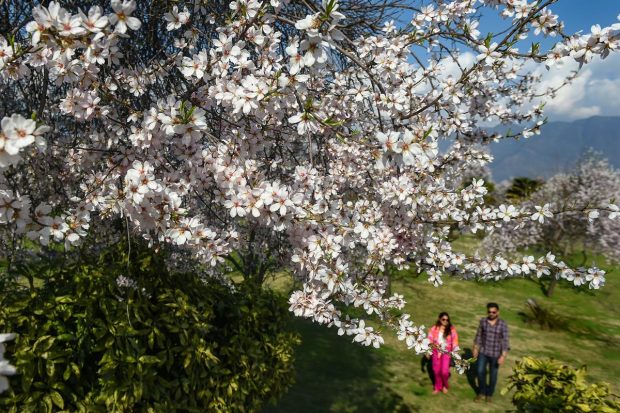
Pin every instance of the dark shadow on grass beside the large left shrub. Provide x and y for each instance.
(335, 375)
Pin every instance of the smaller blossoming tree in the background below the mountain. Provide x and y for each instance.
(592, 182)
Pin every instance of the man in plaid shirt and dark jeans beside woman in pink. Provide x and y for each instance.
(490, 347)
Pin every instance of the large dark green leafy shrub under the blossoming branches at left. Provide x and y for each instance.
(165, 343)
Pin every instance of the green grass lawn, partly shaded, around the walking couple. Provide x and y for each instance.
(334, 375)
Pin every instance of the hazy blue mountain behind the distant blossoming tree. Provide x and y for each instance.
(557, 148)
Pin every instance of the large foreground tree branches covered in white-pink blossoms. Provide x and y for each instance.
(272, 134)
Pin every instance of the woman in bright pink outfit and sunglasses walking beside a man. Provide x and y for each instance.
(443, 339)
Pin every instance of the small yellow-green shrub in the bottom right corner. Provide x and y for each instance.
(547, 386)
